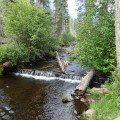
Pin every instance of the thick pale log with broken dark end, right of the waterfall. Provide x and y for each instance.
(81, 88)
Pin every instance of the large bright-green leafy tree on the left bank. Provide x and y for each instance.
(30, 26)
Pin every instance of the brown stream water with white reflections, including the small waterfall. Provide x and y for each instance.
(35, 92)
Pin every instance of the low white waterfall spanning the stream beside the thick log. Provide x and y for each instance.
(44, 75)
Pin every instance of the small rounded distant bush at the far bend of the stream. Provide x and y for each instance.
(66, 38)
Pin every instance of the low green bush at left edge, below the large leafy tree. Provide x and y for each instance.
(12, 53)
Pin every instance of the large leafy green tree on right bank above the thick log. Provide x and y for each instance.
(96, 36)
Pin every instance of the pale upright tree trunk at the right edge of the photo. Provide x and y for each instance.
(117, 30)
